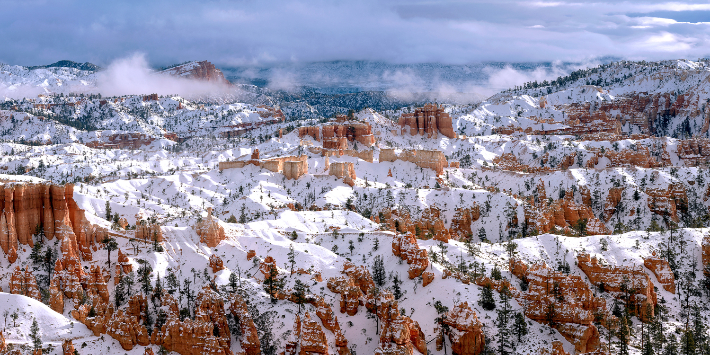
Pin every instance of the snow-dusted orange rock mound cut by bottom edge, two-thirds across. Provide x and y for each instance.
(466, 335)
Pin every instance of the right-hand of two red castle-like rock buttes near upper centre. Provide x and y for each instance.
(430, 120)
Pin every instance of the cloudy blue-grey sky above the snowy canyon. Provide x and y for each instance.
(241, 32)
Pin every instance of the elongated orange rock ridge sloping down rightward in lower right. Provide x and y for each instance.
(621, 279)
